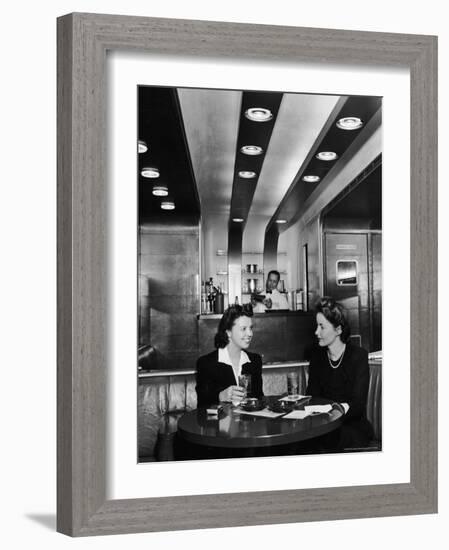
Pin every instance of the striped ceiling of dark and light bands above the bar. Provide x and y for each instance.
(196, 135)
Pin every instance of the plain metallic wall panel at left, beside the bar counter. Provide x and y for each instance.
(168, 284)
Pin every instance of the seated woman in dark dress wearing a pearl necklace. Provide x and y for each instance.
(339, 371)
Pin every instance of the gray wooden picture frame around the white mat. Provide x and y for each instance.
(83, 40)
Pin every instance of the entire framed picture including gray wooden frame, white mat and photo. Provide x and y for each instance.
(239, 190)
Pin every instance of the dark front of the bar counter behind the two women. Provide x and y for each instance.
(277, 335)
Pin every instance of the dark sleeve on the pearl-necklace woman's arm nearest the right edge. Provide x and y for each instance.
(358, 371)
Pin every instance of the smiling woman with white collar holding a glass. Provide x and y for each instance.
(218, 372)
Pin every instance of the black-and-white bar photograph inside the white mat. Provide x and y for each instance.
(259, 273)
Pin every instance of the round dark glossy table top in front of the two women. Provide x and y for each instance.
(234, 429)
